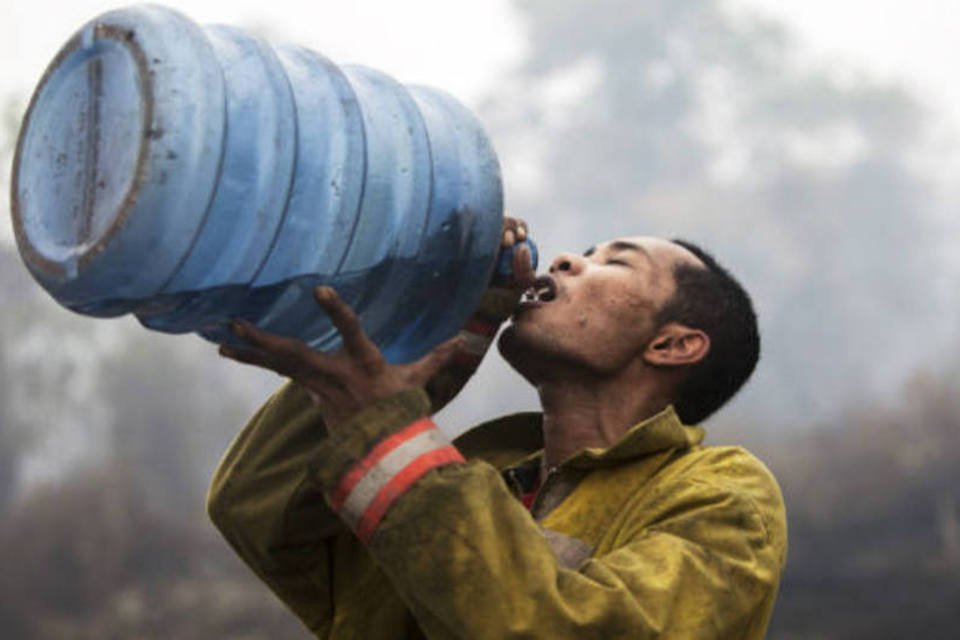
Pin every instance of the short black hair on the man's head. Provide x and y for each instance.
(711, 300)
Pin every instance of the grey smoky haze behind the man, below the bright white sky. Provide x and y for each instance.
(829, 192)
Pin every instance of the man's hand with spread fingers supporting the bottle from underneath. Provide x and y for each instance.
(347, 381)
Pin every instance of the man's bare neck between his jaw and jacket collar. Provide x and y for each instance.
(579, 414)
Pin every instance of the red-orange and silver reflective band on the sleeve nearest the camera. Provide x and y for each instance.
(388, 470)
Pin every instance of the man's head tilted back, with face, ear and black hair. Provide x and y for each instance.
(639, 306)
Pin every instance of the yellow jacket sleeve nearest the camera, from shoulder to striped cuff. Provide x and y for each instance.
(470, 562)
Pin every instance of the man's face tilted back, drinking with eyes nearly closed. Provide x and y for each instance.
(596, 310)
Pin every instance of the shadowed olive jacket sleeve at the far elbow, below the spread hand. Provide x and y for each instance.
(265, 502)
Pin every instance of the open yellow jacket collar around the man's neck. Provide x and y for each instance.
(518, 438)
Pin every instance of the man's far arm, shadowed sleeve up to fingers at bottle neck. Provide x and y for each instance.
(264, 496)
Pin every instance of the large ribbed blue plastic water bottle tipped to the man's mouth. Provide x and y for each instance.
(191, 175)
